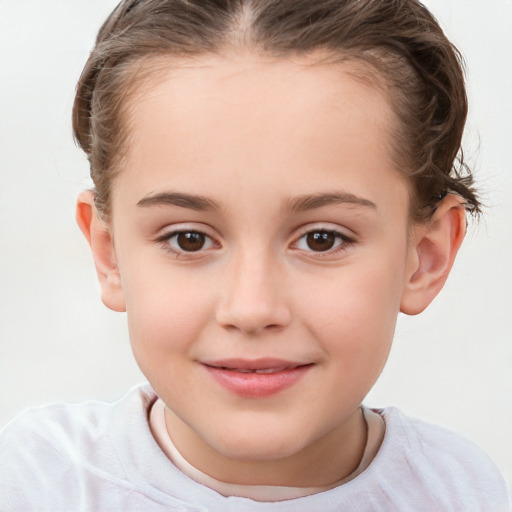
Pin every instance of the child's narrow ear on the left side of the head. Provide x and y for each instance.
(100, 239)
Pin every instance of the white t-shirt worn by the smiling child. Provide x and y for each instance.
(102, 457)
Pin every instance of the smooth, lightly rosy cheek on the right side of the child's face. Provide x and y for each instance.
(353, 311)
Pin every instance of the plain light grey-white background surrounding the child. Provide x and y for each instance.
(451, 365)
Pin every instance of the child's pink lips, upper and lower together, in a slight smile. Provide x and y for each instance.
(256, 378)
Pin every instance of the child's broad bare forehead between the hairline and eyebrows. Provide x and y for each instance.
(257, 120)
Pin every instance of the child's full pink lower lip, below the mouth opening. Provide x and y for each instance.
(257, 385)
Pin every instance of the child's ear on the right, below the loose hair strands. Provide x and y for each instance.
(432, 254)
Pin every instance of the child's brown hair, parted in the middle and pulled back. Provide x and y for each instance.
(399, 40)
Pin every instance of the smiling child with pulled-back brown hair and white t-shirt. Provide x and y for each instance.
(274, 183)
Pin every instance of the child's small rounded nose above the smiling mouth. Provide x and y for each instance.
(253, 296)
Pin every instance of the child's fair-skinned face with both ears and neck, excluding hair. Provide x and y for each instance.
(299, 249)
